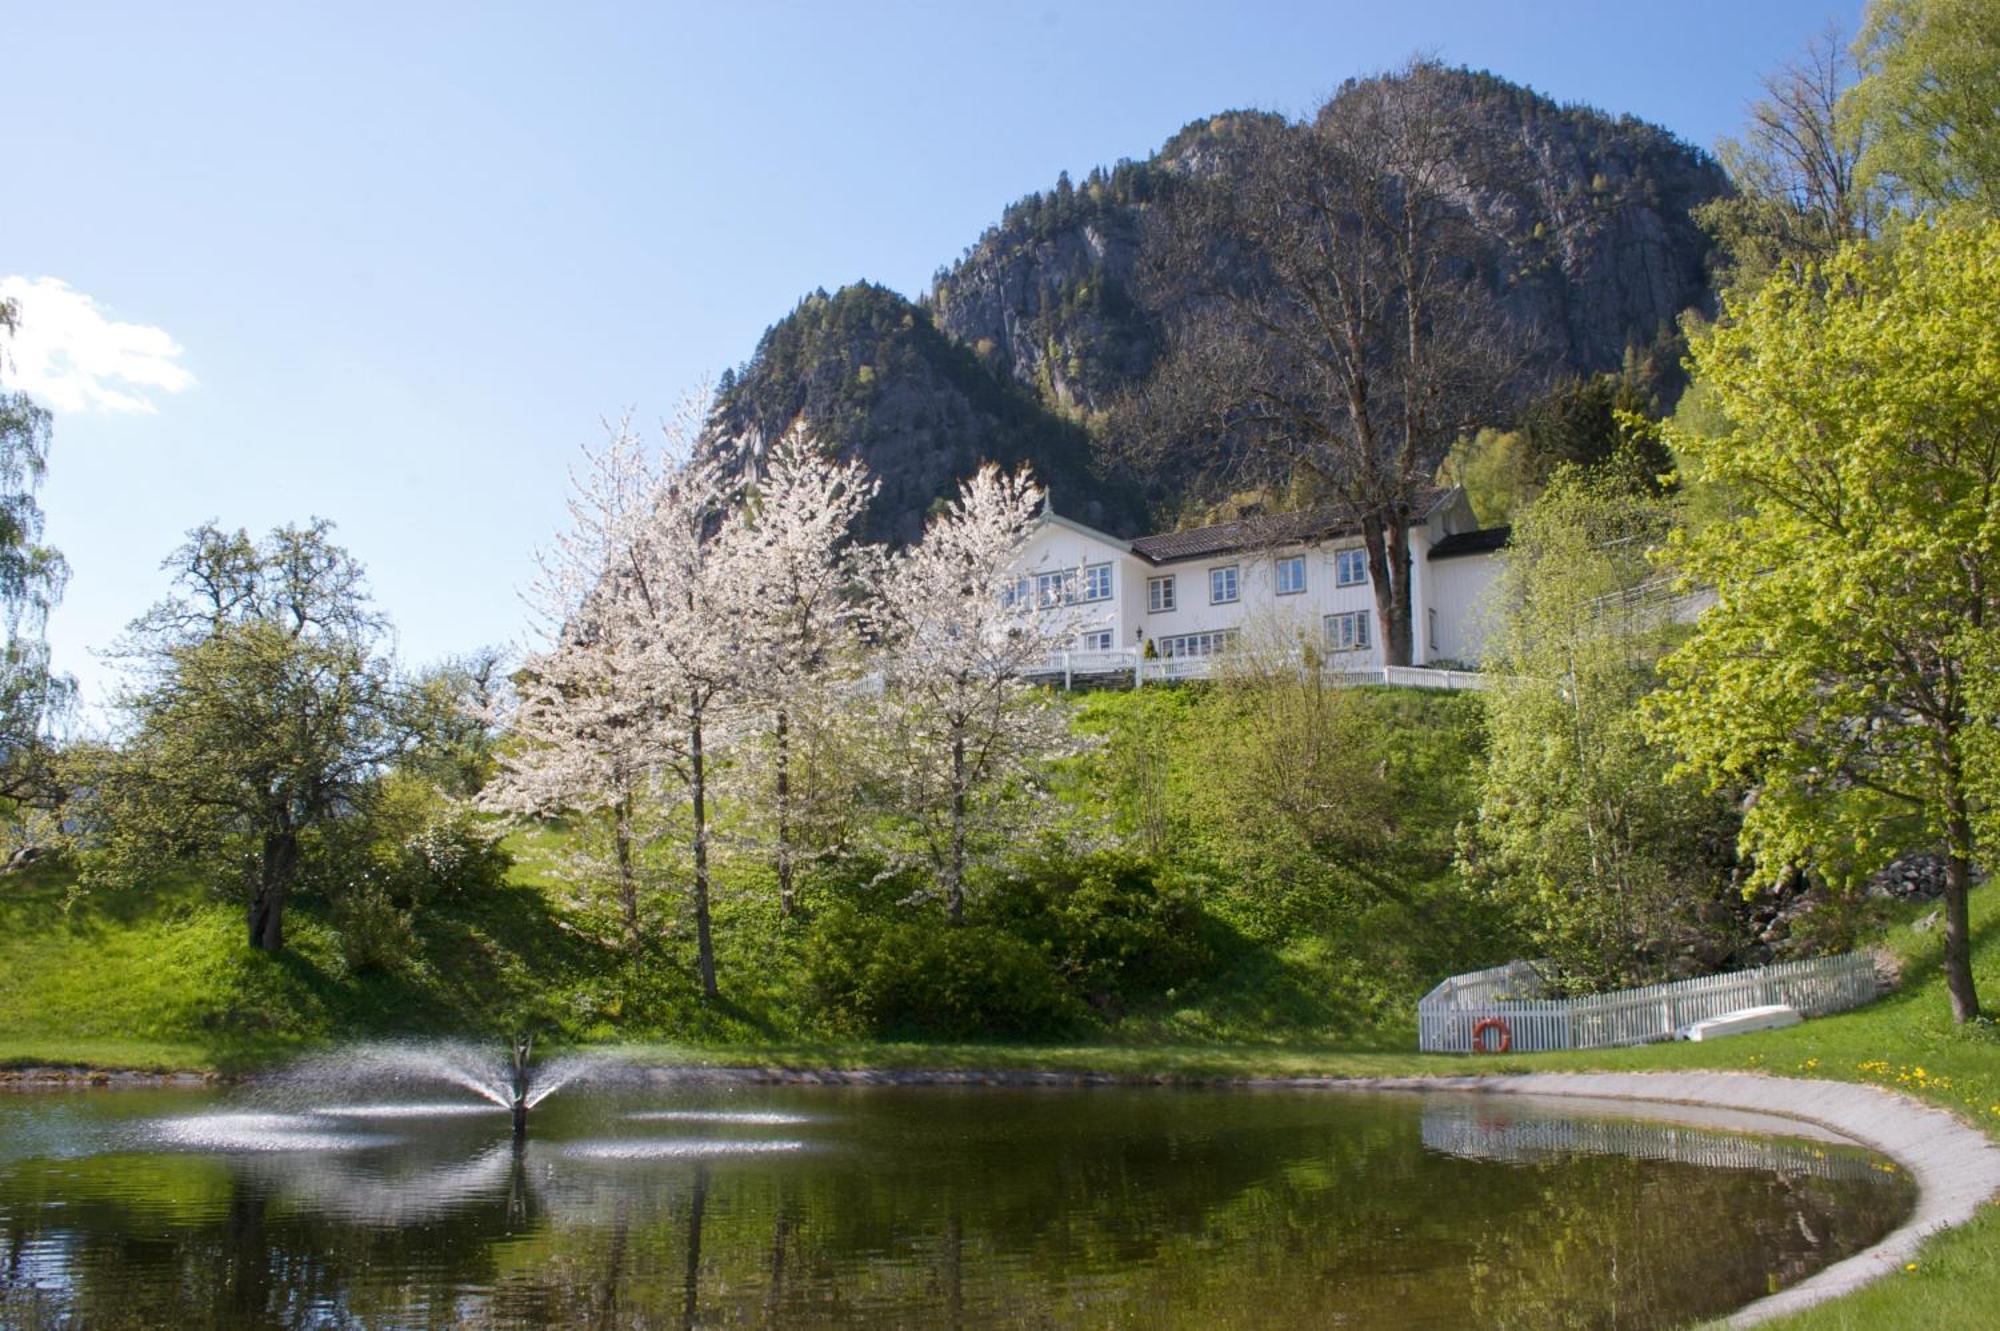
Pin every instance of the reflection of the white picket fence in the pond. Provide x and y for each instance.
(1505, 1134)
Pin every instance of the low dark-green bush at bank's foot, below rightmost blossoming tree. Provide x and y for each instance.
(915, 976)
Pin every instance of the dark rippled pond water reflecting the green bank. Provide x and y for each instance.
(921, 1208)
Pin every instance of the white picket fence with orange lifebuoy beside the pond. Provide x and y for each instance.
(1511, 994)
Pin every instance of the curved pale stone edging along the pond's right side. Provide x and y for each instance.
(1957, 1168)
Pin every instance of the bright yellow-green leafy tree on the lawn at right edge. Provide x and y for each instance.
(1847, 670)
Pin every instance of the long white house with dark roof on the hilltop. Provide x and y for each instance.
(1181, 599)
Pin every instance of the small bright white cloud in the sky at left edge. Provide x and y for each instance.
(75, 359)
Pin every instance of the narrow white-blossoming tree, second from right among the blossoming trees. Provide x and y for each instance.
(801, 583)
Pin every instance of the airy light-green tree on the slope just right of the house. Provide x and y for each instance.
(1617, 870)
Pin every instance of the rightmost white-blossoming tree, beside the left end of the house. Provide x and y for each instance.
(965, 720)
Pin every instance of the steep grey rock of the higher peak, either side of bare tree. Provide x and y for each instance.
(1593, 211)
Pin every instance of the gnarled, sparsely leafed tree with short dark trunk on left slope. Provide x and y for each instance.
(261, 712)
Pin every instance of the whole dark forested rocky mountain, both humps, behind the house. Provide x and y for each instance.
(1027, 345)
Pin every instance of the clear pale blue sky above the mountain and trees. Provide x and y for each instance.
(411, 255)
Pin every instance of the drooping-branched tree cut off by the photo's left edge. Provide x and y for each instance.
(33, 577)
